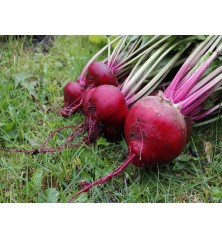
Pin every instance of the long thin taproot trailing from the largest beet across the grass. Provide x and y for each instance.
(105, 178)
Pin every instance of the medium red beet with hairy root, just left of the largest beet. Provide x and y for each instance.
(100, 108)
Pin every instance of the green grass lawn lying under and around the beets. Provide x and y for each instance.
(31, 93)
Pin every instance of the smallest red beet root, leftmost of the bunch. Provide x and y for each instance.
(73, 93)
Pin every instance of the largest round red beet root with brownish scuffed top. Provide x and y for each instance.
(155, 131)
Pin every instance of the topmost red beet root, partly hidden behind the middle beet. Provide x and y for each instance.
(99, 74)
